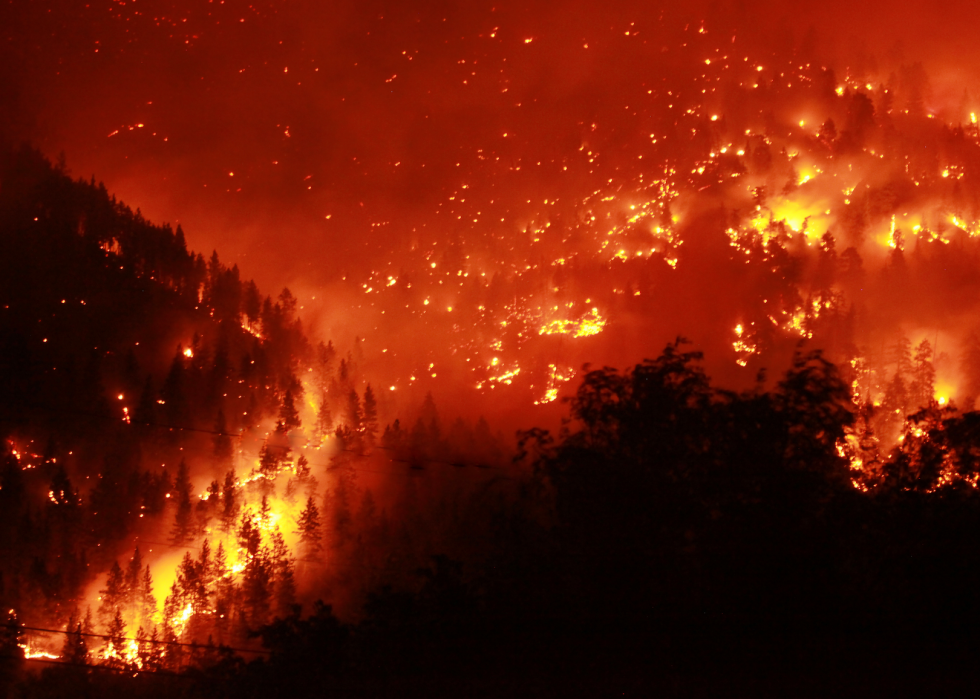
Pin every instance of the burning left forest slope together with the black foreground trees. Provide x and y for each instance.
(673, 538)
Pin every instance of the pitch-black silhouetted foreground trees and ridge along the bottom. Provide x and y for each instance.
(679, 541)
